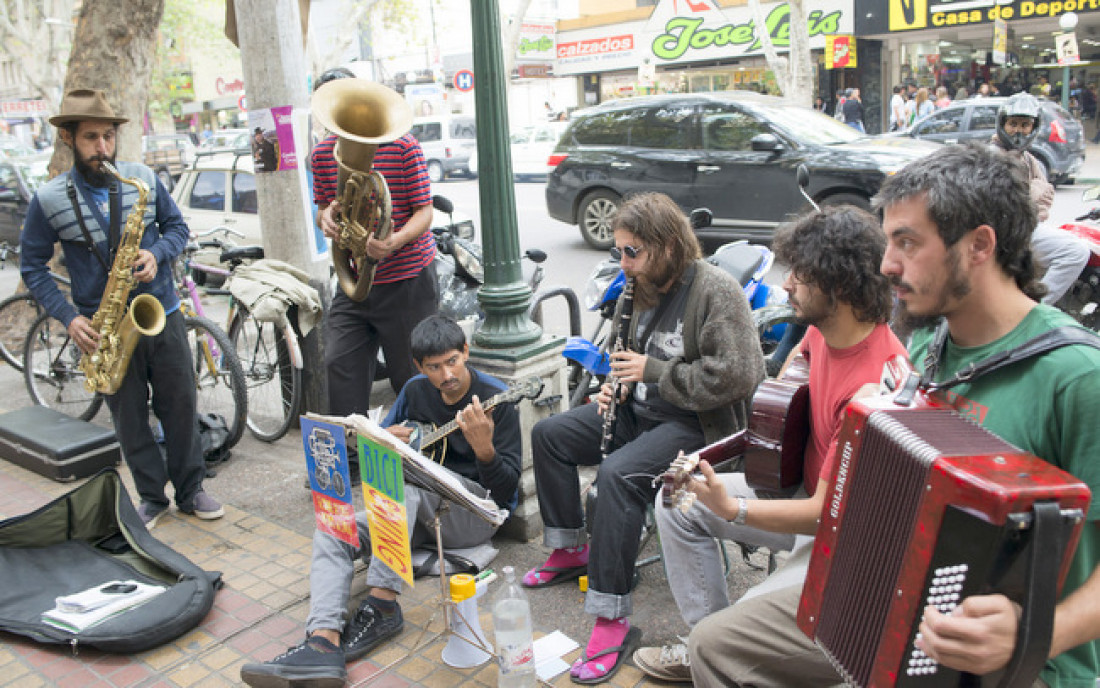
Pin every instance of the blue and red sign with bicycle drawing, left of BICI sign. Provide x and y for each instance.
(329, 479)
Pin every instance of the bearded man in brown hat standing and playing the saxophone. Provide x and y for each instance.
(86, 210)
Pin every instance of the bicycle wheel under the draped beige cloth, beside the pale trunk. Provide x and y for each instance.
(274, 384)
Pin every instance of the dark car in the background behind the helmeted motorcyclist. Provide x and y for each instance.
(1060, 145)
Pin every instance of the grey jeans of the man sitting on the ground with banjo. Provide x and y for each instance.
(334, 563)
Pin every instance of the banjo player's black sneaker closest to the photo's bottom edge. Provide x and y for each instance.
(315, 664)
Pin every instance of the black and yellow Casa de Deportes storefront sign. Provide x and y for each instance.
(918, 15)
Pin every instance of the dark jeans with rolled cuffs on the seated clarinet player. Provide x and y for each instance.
(642, 450)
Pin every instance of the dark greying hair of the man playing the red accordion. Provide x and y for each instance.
(969, 185)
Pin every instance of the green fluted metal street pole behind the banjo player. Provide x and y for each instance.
(504, 297)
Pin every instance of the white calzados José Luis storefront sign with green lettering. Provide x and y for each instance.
(685, 31)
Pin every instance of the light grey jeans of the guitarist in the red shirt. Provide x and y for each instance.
(692, 554)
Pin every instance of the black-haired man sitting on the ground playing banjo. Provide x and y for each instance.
(486, 456)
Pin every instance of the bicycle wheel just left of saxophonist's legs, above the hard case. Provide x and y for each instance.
(52, 370)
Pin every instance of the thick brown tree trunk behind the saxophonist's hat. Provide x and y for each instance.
(114, 47)
